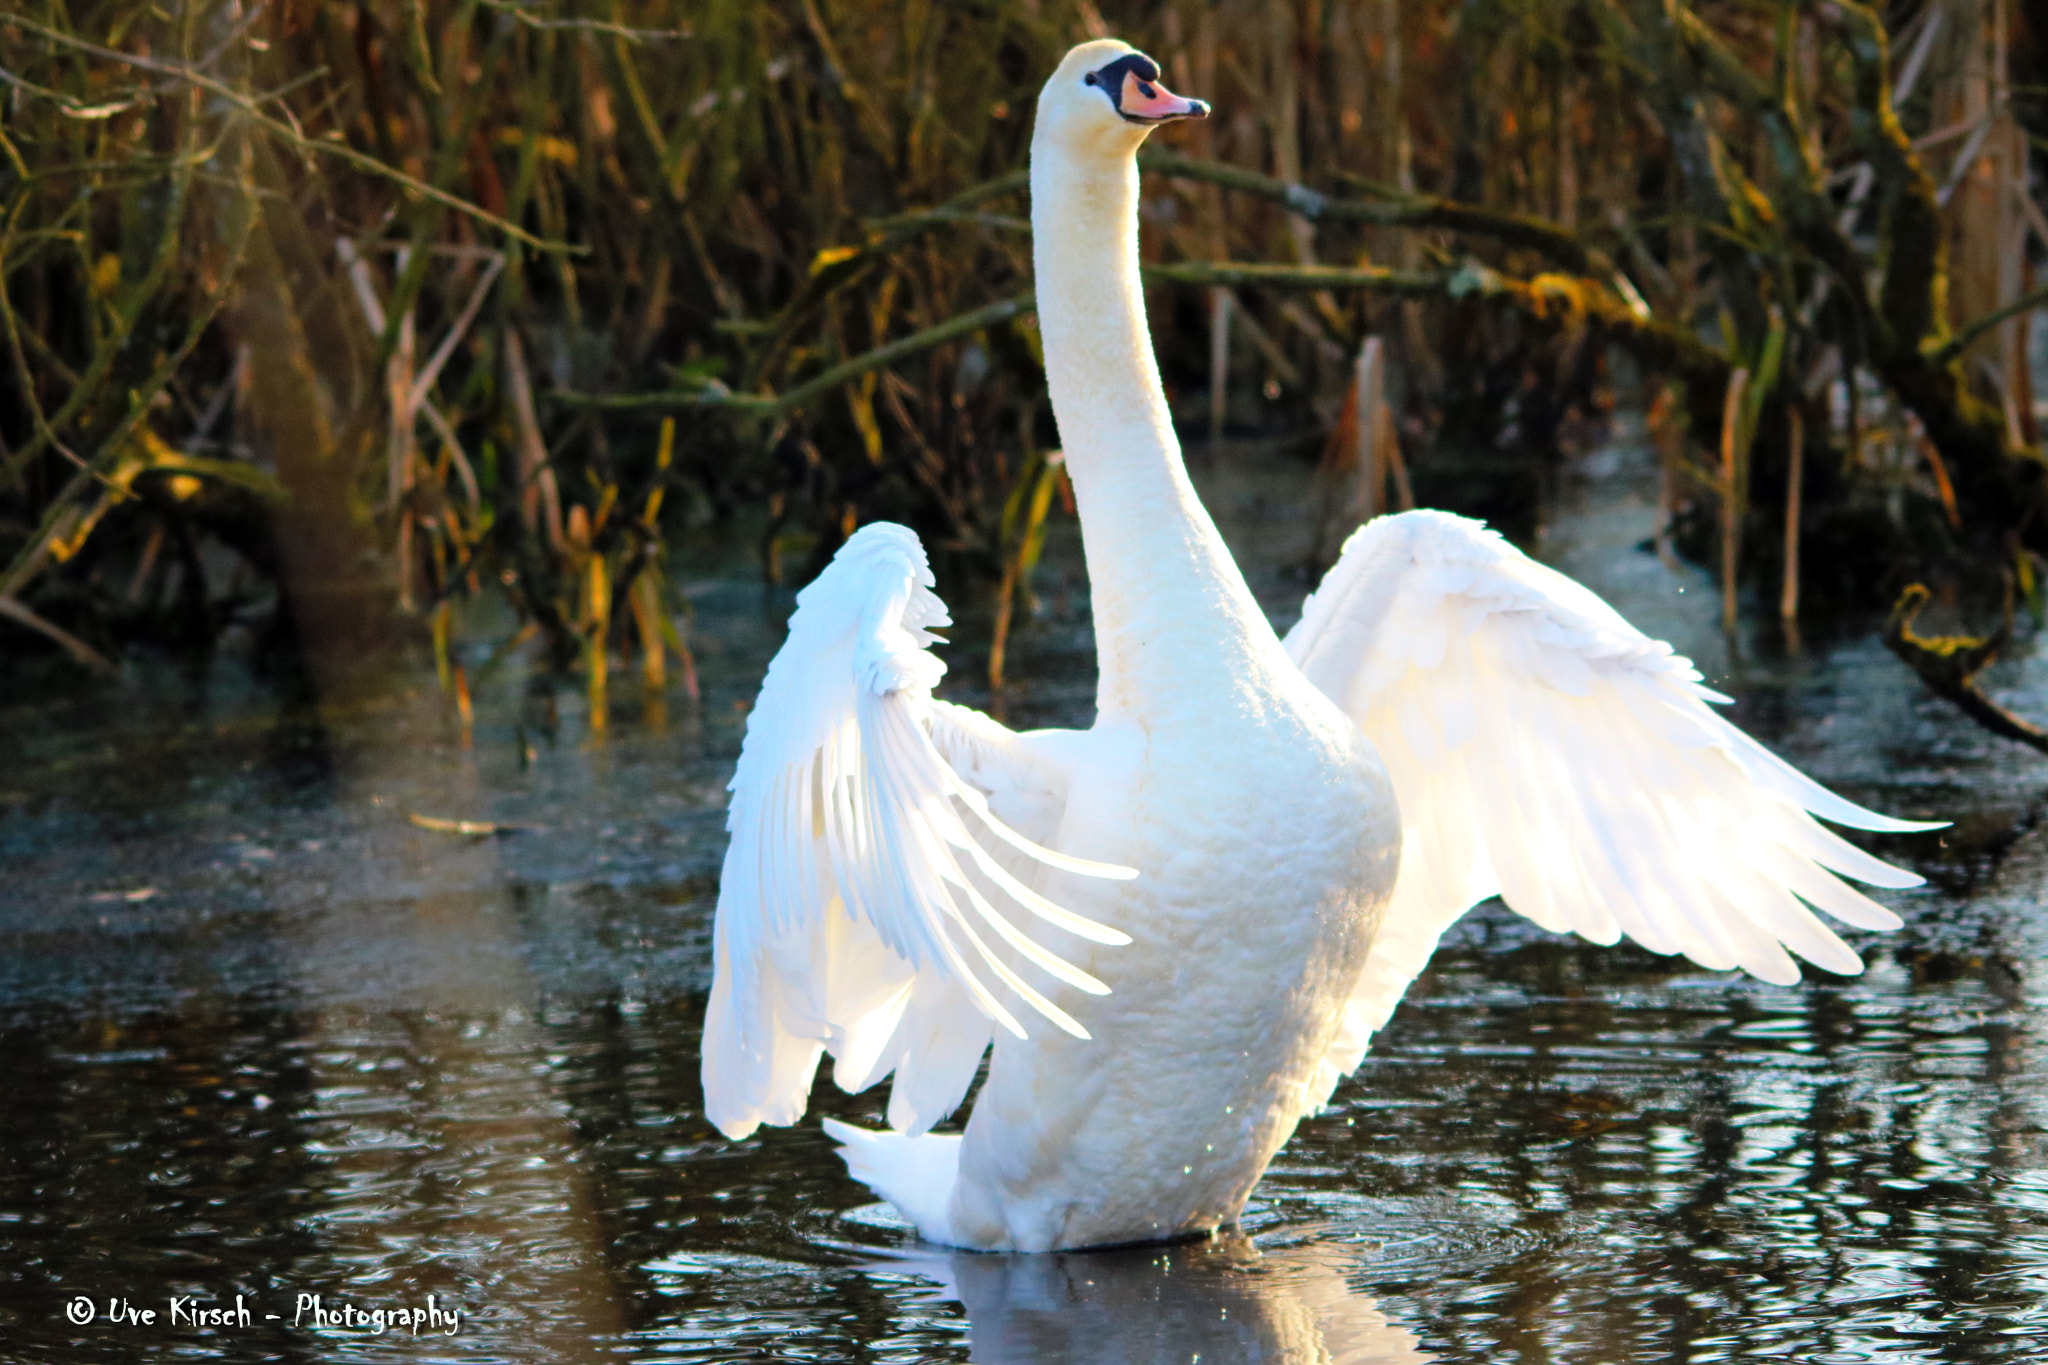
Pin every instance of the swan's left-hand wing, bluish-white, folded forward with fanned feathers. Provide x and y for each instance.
(861, 908)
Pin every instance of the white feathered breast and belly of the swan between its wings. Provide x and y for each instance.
(1267, 842)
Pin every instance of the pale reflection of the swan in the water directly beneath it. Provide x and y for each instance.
(1220, 1301)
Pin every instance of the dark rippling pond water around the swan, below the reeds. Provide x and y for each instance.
(267, 1039)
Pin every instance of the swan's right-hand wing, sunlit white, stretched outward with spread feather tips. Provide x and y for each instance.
(1547, 752)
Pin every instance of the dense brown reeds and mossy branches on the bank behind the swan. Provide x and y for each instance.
(329, 318)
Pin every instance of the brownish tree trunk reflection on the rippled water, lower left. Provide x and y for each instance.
(439, 1125)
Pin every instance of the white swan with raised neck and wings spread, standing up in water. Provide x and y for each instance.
(1183, 926)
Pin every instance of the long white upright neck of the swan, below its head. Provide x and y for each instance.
(1175, 619)
